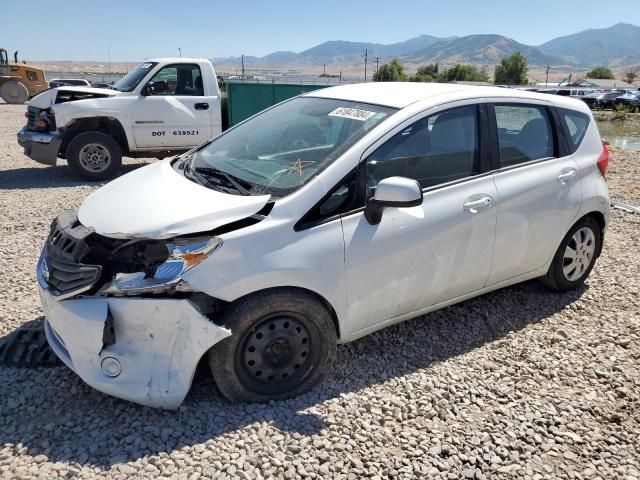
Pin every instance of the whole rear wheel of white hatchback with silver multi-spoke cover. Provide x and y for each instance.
(575, 256)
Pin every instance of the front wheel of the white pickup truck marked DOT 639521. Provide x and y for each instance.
(94, 156)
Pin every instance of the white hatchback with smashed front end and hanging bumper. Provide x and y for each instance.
(315, 222)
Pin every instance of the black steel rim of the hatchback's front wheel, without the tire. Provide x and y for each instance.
(277, 353)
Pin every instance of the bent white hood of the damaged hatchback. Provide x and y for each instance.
(158, 202)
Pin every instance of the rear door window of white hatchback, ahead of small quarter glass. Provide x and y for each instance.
(524, 133)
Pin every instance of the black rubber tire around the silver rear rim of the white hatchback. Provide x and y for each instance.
(556, 277)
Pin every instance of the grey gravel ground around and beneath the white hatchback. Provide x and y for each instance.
(520, 383)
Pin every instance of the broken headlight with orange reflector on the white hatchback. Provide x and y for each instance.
(184, 254)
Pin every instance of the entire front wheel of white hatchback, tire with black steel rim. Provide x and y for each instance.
(283, 344)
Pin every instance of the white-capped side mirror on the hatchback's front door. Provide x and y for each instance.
(399, 192)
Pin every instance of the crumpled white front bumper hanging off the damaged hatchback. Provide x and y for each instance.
(154, 345)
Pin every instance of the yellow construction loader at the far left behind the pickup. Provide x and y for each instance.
(19, 81)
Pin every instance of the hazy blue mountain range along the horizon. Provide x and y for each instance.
(614, 46)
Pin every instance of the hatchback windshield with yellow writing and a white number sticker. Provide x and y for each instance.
(281, 149)
